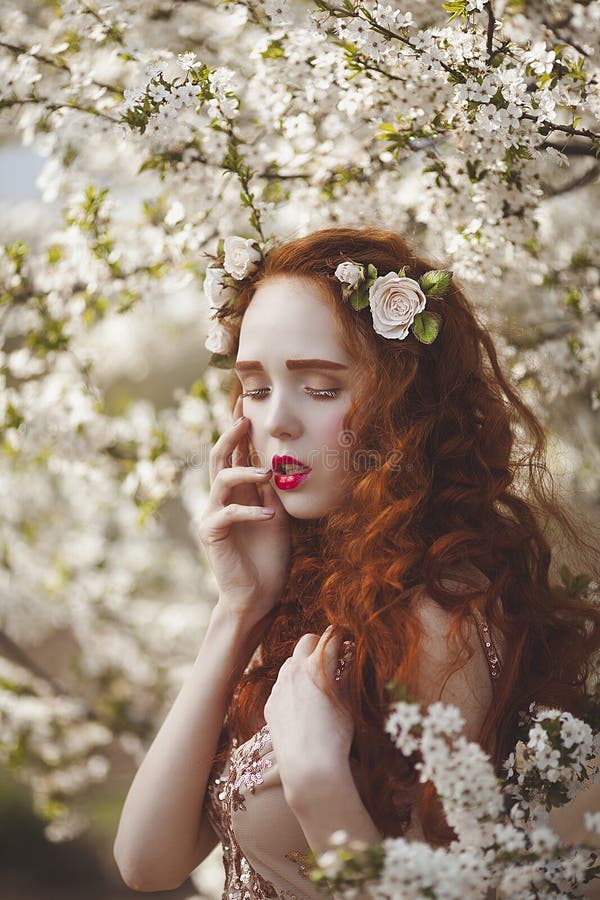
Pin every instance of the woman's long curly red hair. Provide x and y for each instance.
(472, 486)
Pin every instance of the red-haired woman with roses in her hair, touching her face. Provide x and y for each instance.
(412, 534)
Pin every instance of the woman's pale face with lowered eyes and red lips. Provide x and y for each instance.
(296, 408)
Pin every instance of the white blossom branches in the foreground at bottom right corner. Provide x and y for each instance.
(504, 839)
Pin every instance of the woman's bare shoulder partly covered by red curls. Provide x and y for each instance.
(450, 670)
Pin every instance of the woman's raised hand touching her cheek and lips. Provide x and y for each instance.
(249, 552)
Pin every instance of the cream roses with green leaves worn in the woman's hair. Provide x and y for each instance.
(397, 303)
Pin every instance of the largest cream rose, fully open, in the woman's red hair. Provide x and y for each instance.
(395, 301)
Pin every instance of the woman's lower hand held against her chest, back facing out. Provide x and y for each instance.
(311, 734)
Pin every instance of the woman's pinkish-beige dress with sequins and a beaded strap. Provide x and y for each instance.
(264, 847)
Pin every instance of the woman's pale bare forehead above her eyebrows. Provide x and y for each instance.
(290, 316)
